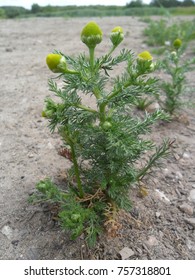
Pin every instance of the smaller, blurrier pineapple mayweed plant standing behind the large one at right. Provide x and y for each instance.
(176, 66)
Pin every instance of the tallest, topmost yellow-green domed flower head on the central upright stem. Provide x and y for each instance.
(91, 35)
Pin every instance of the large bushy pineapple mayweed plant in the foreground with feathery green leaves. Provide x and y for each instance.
(105, 145)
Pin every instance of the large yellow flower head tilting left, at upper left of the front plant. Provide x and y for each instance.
(56, 63)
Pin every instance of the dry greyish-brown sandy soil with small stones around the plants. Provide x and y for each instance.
(157, 228)
